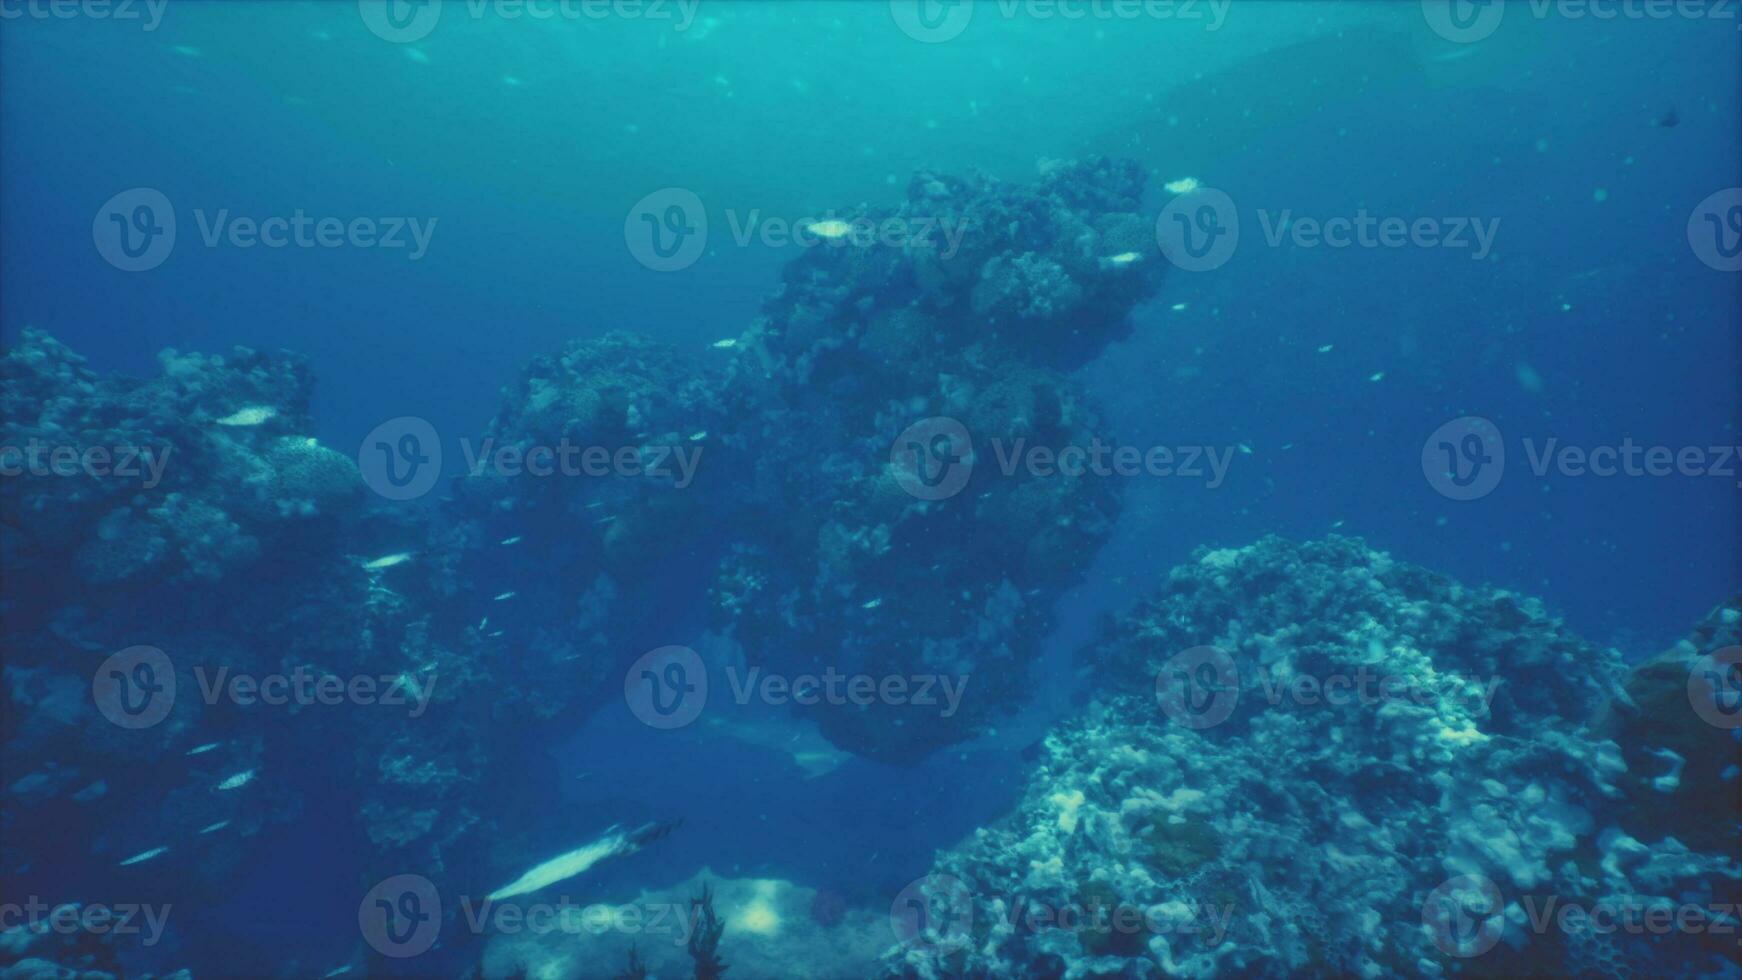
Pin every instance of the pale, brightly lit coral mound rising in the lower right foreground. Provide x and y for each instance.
(1318, 760)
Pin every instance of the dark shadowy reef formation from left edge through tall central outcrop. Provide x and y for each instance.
(210, 619)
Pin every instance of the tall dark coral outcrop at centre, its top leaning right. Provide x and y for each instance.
(860, 344)
